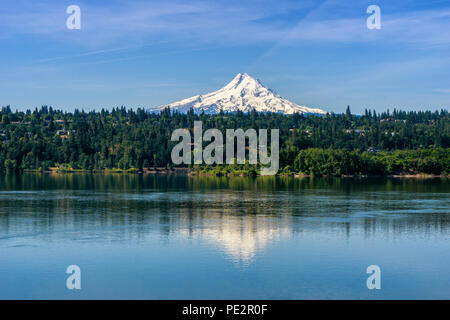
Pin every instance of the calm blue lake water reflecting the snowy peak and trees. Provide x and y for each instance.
(172, 237)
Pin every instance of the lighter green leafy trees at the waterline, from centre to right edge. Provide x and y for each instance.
(340, 162)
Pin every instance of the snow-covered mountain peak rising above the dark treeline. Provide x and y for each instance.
(243, 93)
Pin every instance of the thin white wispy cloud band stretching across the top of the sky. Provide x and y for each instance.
(225, 22)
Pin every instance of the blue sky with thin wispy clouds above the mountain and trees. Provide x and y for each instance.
(148, 53)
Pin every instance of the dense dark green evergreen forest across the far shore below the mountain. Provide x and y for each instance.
(135, 139)
